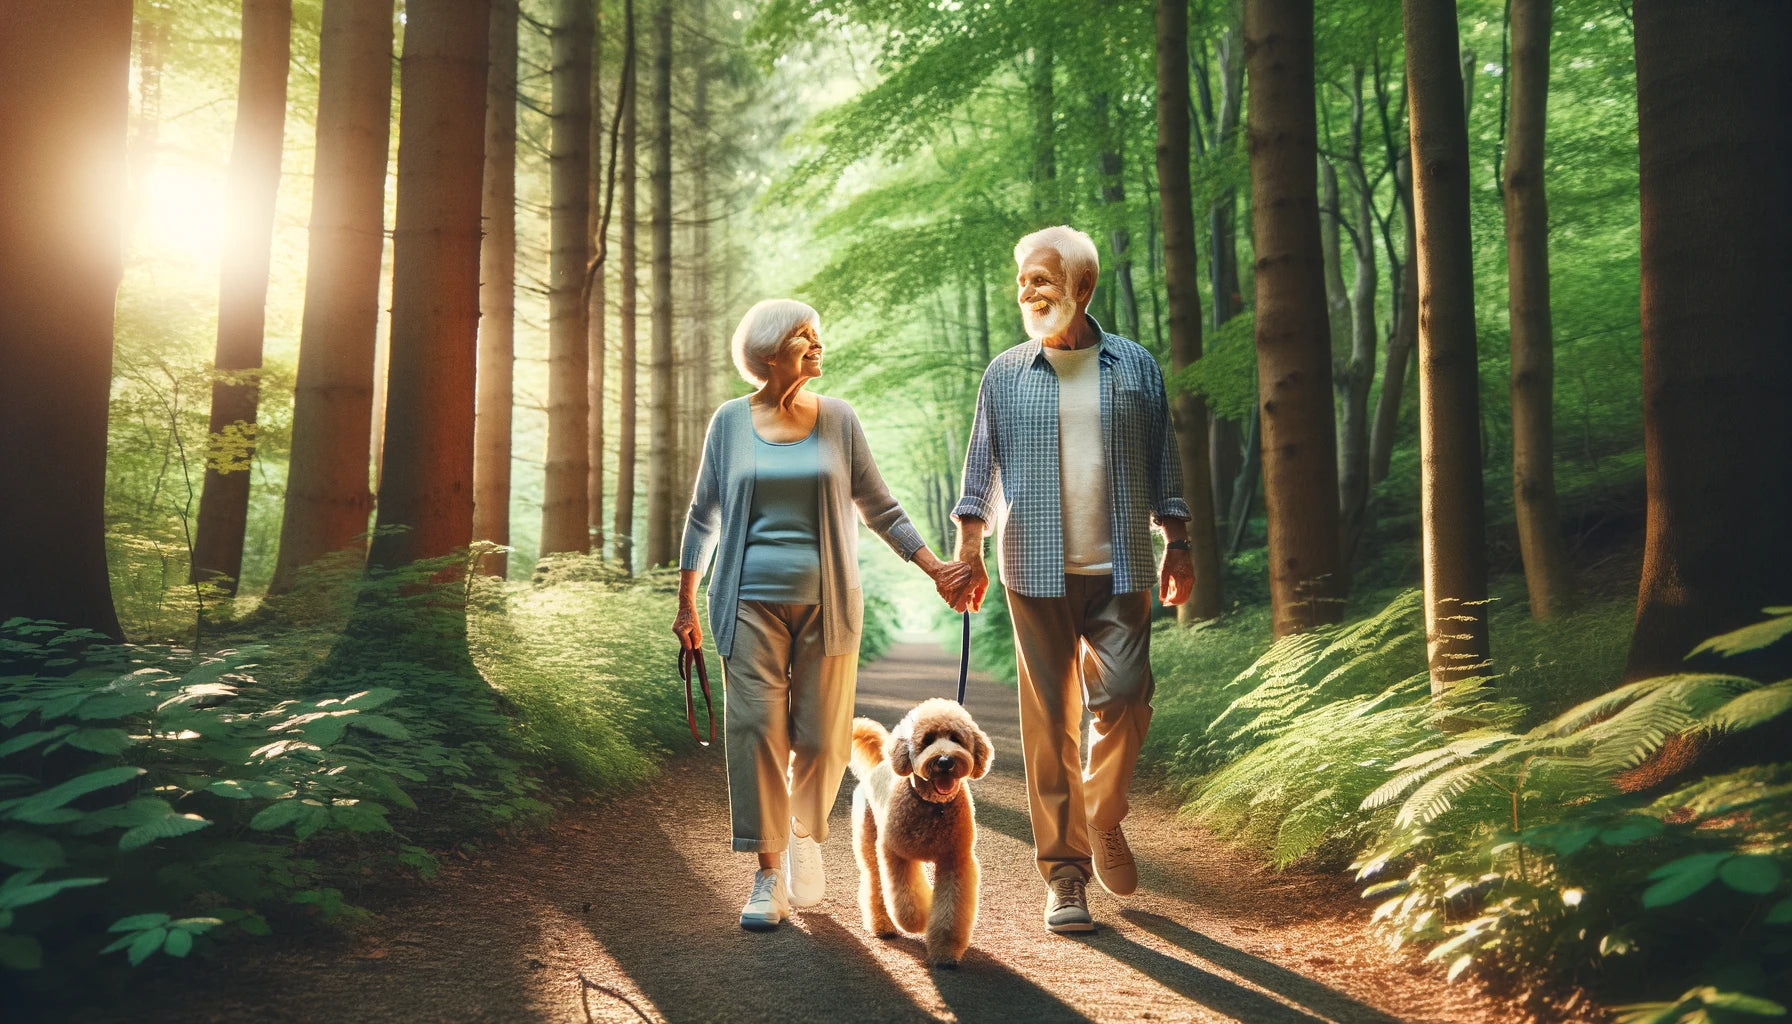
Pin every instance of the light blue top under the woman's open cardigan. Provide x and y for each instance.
(782, 559)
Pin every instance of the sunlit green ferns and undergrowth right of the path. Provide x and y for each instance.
(1501, 846)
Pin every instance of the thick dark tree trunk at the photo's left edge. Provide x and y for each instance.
(65, 101)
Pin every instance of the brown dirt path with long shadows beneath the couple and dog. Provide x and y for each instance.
(626, 910)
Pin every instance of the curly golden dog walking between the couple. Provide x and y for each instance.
(913, 808)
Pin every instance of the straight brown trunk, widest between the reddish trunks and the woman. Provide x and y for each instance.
(565, 490)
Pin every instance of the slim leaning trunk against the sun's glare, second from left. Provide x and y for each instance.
(243, 295)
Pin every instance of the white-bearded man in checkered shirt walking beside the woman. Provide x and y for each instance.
(1073, 453)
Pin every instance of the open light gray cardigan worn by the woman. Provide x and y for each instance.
(723, 499)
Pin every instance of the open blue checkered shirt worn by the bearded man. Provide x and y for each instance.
(1012, 467)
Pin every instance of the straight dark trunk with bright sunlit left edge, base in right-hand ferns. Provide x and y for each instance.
(1451, 490)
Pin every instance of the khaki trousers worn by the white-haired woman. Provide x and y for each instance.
(789, 731)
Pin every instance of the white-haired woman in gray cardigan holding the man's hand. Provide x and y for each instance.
(782, 473)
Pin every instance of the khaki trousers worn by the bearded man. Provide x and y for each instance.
(1089, 648)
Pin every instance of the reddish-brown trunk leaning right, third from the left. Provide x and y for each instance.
(329, 492)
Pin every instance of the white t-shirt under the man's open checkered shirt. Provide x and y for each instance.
(1081, 464)
